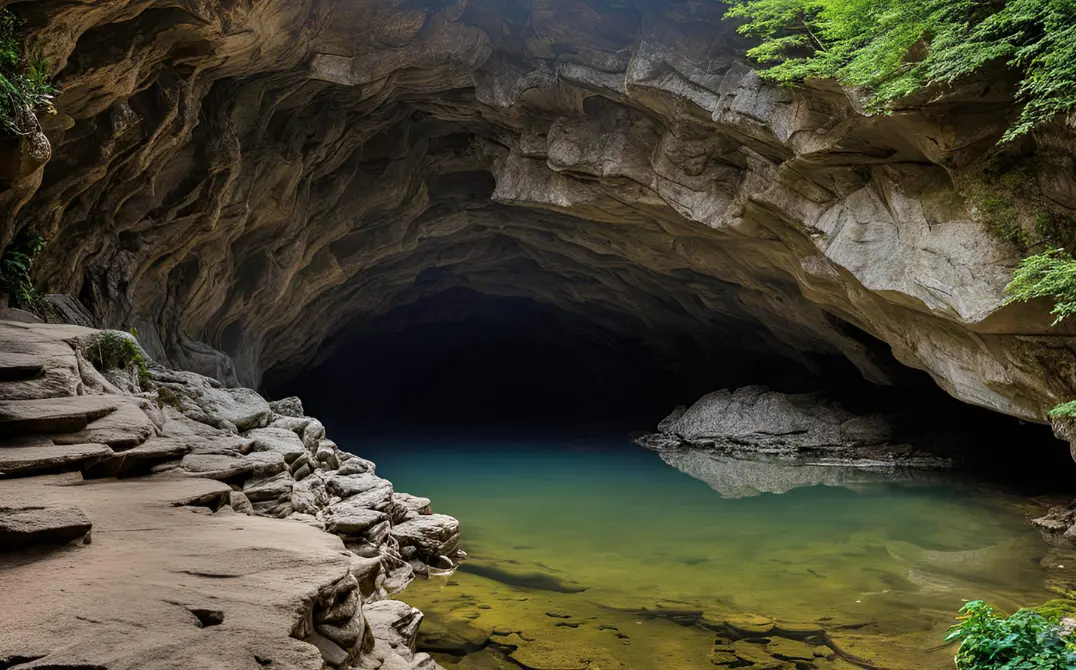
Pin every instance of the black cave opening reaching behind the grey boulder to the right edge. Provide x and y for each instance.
(463, 365)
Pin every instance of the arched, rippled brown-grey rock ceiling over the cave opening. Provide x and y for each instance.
(252, 177)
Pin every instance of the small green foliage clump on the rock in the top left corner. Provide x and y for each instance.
(25, 84)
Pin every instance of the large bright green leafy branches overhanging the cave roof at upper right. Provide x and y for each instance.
(897, 48)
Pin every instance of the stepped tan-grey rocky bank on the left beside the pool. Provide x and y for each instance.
(228, 532)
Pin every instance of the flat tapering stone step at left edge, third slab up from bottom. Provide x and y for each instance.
(53, 415)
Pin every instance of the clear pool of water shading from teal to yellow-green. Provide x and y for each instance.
(601, 555)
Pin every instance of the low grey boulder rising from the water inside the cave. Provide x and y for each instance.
(812, 429)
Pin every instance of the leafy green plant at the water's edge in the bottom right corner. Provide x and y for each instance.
(1025, 642)
